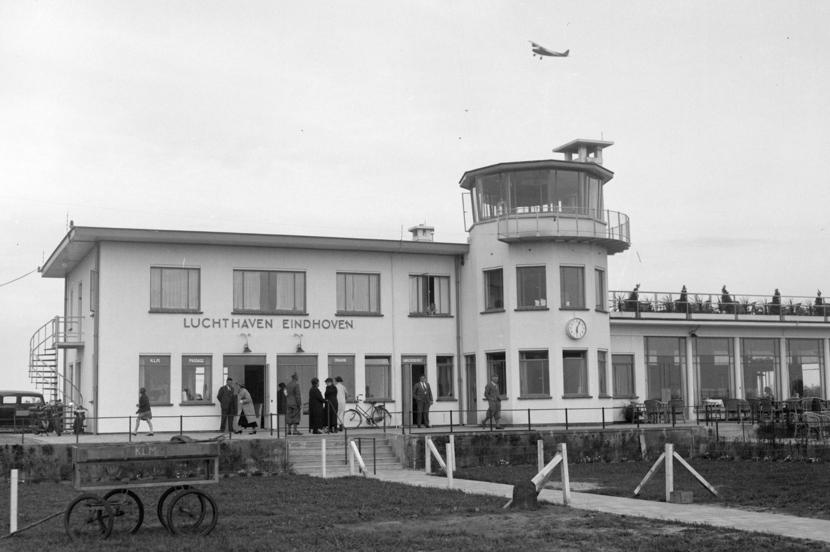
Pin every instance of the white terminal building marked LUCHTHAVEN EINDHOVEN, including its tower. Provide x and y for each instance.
(526, 297)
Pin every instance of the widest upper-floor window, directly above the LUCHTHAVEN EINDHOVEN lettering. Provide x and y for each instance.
(268, 291)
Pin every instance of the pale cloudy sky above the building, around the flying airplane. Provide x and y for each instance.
(357, 119)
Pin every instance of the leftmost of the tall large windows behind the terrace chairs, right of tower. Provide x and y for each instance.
(665, 359)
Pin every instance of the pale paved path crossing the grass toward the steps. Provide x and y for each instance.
(788, 526)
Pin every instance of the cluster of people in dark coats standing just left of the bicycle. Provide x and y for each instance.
(325, 410)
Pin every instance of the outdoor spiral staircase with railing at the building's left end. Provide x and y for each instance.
(43, 358)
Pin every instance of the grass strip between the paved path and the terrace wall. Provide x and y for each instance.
(795, 488)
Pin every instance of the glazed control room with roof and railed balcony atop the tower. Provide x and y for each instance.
(550, 200)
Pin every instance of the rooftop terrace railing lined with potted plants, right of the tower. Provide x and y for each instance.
(696, 305)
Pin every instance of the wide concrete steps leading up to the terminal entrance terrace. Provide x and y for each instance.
(305, 454)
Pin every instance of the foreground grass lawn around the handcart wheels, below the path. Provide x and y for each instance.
(306, 513)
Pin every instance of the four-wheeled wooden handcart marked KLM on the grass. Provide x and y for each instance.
(183, 509)
